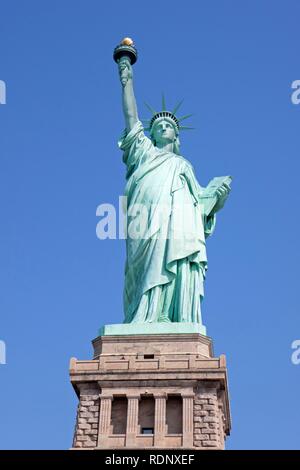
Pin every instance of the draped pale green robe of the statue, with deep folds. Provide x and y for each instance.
(166, 260)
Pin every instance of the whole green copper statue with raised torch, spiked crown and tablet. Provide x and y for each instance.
(166, 265)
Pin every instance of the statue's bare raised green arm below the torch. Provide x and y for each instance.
(129, 102)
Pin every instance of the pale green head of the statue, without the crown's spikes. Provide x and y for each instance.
(164, 131)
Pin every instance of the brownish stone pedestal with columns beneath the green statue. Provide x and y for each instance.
(151, 391)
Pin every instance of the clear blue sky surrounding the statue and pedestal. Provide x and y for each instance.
(233, 61)
